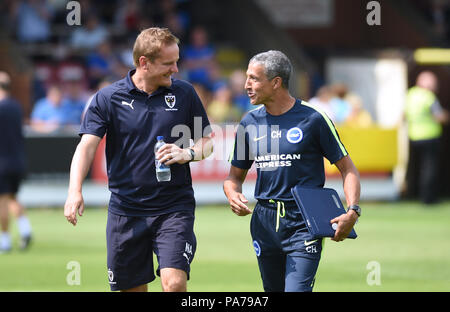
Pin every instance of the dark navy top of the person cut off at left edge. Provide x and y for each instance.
(12, 149)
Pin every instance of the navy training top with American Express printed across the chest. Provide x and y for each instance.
(287, 149)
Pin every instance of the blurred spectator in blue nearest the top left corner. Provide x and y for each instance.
(33, 20)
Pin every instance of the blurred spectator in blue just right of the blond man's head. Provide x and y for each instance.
(199, 58)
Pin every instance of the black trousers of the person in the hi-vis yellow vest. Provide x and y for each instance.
(423, 170)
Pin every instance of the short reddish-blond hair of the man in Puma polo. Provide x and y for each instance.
(150, 41)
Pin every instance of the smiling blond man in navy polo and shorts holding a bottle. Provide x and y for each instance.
(144, 216)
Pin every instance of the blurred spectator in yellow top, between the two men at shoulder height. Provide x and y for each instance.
(221, 108)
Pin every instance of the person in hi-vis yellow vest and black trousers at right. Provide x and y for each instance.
(424, 116)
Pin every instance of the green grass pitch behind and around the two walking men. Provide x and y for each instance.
(401, 247)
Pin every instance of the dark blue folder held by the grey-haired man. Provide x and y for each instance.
(318, 207)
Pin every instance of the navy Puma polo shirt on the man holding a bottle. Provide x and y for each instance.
(131, 120)
